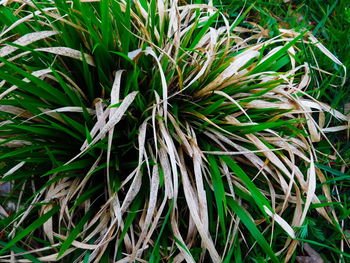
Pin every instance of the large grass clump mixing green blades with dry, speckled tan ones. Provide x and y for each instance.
(150, 131)
